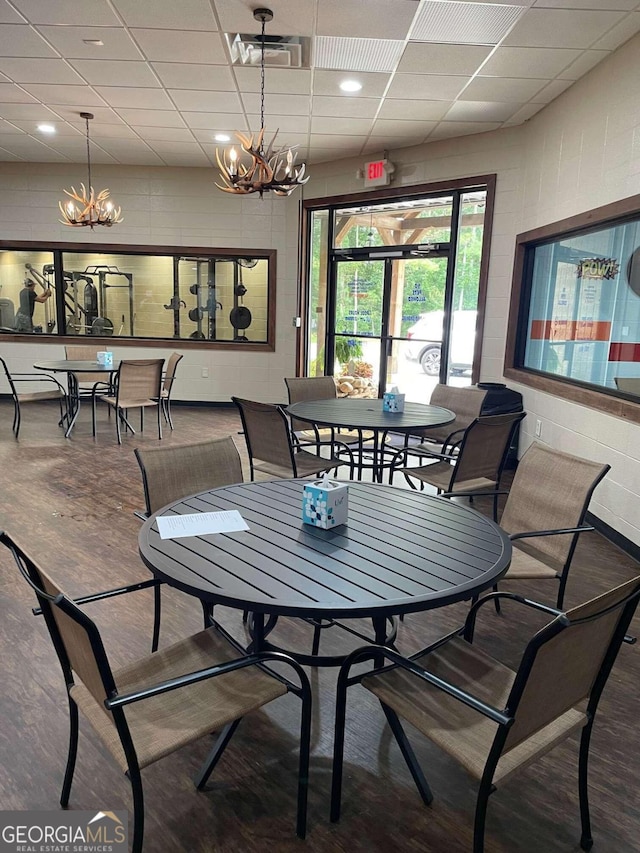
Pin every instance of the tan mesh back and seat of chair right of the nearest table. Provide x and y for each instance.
(551, 490)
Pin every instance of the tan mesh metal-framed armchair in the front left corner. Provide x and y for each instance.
(147, 709)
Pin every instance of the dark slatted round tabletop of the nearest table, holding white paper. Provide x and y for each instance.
(401, 551)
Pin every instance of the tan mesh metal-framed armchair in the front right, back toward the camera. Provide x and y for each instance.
(489, 718)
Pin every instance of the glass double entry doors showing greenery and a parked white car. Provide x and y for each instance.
(388, 325)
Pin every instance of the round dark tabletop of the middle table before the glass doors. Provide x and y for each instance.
(368, 415)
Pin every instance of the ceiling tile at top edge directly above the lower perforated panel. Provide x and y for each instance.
(382, 19)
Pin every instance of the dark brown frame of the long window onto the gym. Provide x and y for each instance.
(59, 248)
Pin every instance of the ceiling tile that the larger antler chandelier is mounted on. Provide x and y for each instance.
(291, 17)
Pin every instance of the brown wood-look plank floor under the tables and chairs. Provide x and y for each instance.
(72, 501)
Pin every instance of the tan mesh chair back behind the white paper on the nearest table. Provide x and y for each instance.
(171, 473)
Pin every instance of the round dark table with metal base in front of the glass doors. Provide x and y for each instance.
(368, 415)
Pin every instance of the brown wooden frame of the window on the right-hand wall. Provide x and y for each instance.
(602, 399)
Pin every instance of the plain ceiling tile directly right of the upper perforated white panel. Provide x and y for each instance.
(561, 28)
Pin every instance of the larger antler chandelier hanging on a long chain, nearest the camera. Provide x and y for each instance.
(263, 169)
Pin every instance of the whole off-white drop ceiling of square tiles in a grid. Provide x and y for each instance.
(161, 83)
